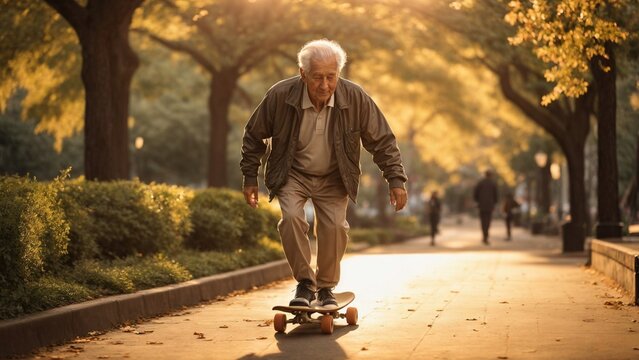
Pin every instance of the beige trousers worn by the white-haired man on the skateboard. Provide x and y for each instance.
(331, 228)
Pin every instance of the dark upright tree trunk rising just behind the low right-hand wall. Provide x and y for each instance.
(609, 217)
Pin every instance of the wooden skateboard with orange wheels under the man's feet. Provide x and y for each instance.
(303, 314)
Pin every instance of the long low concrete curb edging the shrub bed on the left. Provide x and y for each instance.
(19, 336)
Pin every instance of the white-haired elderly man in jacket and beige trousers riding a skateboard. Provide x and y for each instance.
(314, 124)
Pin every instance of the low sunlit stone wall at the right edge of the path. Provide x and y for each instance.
(620, 262)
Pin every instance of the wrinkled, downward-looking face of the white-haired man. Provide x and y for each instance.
(321, 80)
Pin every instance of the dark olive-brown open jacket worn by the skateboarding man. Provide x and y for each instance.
(355, 120)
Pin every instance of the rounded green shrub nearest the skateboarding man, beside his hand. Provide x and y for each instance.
(222, 221)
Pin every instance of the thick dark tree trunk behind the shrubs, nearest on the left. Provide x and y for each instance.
(108, 65)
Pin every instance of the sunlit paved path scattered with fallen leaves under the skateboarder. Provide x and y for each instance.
(457, 300)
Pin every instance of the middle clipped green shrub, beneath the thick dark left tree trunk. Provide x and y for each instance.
(125, 218)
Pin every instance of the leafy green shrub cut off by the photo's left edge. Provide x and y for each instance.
(33, 230)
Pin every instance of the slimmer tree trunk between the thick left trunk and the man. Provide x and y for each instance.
(223, 84)
